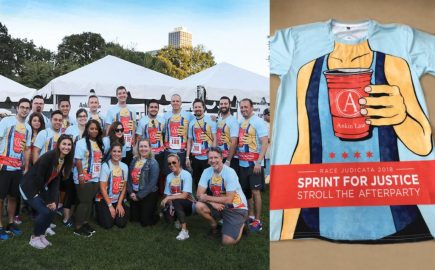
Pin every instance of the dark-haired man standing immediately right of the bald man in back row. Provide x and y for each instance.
(201, 136)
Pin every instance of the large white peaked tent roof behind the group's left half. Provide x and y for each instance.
(105, 75)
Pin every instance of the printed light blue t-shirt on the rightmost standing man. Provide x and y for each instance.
(250, 132)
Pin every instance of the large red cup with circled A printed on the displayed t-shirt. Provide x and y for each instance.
(345, 88)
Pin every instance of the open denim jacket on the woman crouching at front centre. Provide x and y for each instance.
(149, 176)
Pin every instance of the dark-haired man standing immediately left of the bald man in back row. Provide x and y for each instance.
(151, 127)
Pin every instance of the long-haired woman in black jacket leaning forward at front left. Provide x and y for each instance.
(40, 187)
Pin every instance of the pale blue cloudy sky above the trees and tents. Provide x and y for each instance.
(236, 31)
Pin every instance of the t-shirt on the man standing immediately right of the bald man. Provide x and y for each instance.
(201, 132)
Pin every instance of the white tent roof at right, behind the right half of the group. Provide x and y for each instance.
(225, 80)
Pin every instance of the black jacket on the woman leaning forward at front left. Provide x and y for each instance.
(34, 182)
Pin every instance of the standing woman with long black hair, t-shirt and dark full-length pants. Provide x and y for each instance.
(88, 157)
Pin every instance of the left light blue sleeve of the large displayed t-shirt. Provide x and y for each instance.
(281, 51)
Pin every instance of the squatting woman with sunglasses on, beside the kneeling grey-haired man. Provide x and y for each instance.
(178, 195)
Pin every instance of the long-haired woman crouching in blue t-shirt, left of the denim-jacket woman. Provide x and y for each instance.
(111, 209)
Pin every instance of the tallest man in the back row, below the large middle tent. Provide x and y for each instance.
(127, 116)
